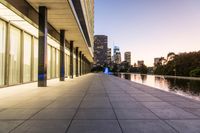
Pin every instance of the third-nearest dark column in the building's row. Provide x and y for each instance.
(71, 59)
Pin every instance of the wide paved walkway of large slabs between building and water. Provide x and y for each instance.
(96, 103)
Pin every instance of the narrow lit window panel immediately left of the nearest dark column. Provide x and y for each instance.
(35, 61)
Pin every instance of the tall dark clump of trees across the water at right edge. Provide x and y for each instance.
(182, 64)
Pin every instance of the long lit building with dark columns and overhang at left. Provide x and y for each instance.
(37, 48)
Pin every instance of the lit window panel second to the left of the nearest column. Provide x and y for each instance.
(27, 58)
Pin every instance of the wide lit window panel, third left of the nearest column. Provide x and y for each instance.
(14, 69)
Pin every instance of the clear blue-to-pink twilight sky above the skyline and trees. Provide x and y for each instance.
(149, 28)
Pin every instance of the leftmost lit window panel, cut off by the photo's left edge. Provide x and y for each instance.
(2, 51)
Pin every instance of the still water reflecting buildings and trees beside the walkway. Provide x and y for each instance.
(185, 87)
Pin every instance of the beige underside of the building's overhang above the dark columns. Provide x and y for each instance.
(62, 16)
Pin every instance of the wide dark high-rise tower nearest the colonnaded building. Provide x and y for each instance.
(100, 50)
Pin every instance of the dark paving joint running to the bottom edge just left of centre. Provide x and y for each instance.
(73, 118)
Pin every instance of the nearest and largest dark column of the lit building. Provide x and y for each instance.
(42, 47)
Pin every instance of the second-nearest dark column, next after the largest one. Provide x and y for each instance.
(62, 55)
